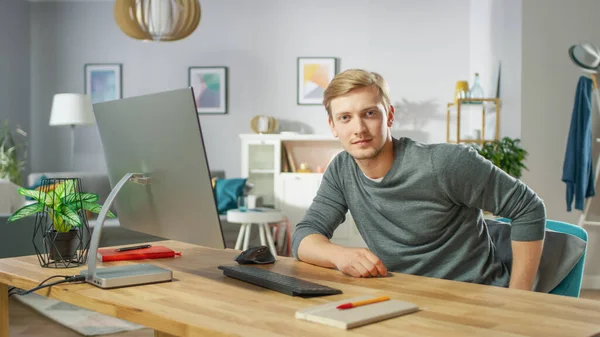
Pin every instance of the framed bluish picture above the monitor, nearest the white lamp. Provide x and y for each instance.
(103, 81)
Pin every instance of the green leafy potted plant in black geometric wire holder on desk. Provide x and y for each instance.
(60, 205)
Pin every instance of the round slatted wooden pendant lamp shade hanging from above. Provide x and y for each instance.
(157, 20)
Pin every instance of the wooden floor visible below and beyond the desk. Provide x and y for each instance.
(25, 322)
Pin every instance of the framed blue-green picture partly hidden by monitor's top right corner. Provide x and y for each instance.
(210, 89)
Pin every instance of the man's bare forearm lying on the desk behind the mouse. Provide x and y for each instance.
(316, 249)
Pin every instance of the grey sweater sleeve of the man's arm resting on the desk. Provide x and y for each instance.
(326, 212)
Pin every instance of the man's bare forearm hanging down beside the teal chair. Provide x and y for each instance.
(526, 260)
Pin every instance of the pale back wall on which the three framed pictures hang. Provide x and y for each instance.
(414, 44)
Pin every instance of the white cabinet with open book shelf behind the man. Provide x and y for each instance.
(264, 159)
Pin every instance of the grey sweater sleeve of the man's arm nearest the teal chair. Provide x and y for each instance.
(470, 180)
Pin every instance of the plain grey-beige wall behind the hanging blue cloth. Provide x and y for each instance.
(550, 27)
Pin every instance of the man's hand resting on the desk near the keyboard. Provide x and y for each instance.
(359, 262)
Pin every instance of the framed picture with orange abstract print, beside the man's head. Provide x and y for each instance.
(314, 74)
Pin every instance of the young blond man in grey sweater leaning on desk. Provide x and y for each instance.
(417, 206)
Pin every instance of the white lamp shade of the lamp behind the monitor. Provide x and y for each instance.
(72, 109)
